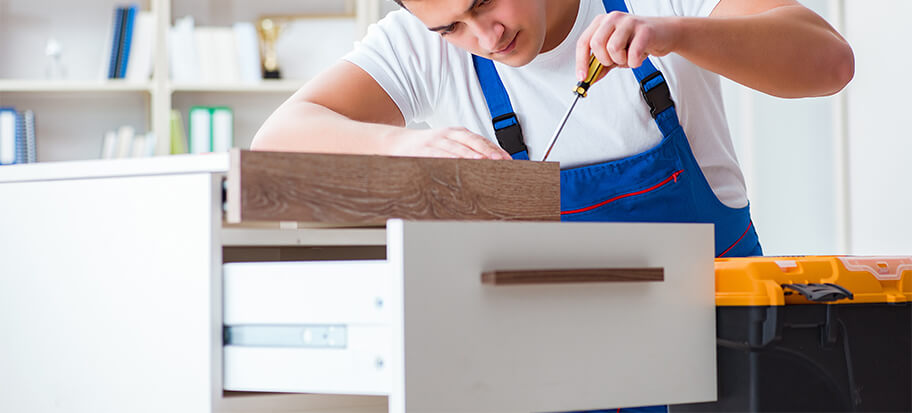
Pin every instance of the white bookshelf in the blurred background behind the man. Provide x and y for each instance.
(73, 113)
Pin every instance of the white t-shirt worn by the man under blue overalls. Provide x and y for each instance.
(433, 81)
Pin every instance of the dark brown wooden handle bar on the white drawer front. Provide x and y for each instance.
(569, 276)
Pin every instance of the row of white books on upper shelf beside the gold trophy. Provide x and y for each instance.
(214, 54)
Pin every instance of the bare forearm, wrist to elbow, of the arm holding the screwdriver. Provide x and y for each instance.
(788, 51)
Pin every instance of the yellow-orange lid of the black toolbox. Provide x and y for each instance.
(765, 281)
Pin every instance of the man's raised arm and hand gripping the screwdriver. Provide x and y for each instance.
(775, 46)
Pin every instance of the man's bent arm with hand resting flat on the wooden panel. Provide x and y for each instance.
(344, 110)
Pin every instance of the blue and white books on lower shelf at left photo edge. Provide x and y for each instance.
(17, 136)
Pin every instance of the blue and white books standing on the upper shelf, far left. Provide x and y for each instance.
(131, 44)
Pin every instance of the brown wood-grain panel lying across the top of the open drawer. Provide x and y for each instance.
(360, 190)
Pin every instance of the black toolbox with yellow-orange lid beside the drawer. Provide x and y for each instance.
(813, 334)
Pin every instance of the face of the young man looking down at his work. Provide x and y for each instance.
(509, 31)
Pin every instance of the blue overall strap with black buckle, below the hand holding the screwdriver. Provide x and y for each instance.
(653, 86)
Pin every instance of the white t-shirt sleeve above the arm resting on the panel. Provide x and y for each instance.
(404, 58)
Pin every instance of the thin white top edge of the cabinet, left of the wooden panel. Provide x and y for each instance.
(165, 165)
